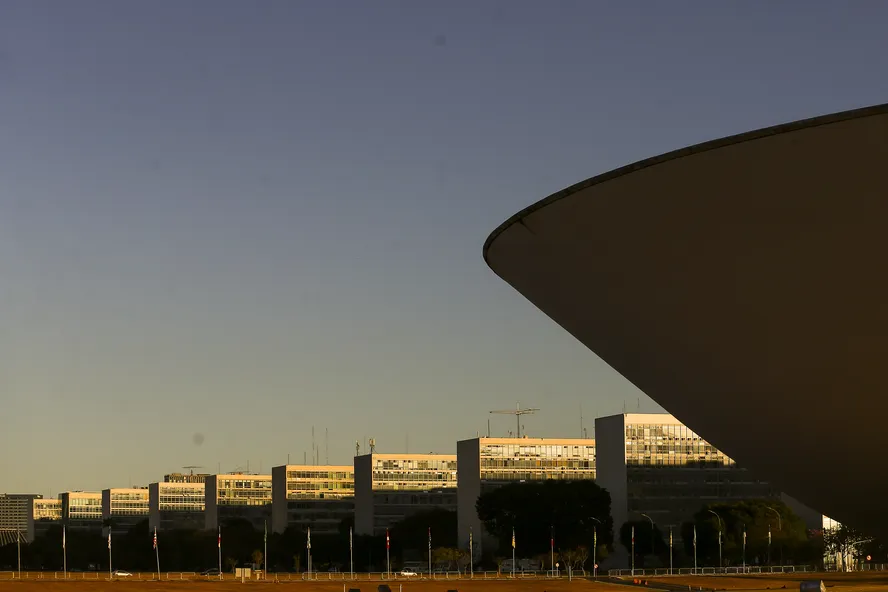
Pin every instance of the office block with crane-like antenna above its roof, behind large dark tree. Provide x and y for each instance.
(491, 462)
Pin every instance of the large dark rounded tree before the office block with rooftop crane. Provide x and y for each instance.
(564, 510)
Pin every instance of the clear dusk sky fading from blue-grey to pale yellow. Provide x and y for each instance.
(225, 222)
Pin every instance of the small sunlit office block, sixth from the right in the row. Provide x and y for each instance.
(176, 505)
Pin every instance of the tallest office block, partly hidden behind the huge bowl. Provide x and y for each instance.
(653, 464)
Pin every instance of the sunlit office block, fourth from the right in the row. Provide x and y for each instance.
(312, 496)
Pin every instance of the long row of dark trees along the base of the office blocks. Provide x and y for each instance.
(570, 520)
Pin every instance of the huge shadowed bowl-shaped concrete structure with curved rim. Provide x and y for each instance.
(739, 283)
